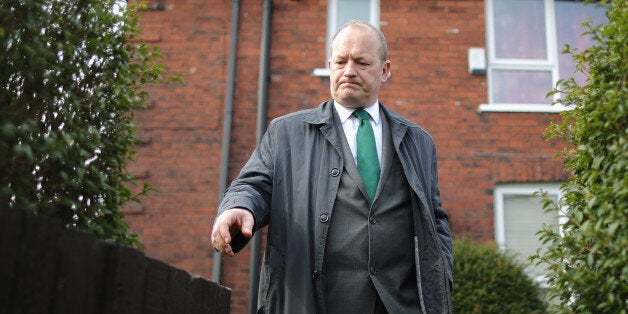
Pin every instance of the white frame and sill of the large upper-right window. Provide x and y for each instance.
(549, 64)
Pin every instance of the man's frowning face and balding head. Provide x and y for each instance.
(357, 70)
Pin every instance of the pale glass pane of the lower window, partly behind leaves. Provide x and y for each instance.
(523, 218)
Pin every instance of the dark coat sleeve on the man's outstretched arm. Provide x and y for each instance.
(252, 188)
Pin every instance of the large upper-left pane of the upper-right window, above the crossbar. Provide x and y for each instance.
(519, 29)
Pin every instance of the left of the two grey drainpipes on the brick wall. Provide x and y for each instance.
(226, 124)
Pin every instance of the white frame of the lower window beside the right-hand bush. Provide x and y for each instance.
(523, 189)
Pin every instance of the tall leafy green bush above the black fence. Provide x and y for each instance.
(69, 83)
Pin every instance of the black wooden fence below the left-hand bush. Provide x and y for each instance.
(45, 268)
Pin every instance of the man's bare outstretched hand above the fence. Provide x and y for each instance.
(228, 224)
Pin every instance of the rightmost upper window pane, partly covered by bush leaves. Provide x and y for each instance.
(569, 18)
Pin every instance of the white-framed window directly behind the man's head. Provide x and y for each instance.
(340, 12)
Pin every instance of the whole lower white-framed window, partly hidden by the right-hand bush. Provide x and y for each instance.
(518, 217)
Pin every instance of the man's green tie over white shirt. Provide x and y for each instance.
(368, 162)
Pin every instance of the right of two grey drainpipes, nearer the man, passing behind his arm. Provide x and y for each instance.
(262, 109)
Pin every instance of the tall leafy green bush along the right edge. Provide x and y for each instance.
(589, 260)
